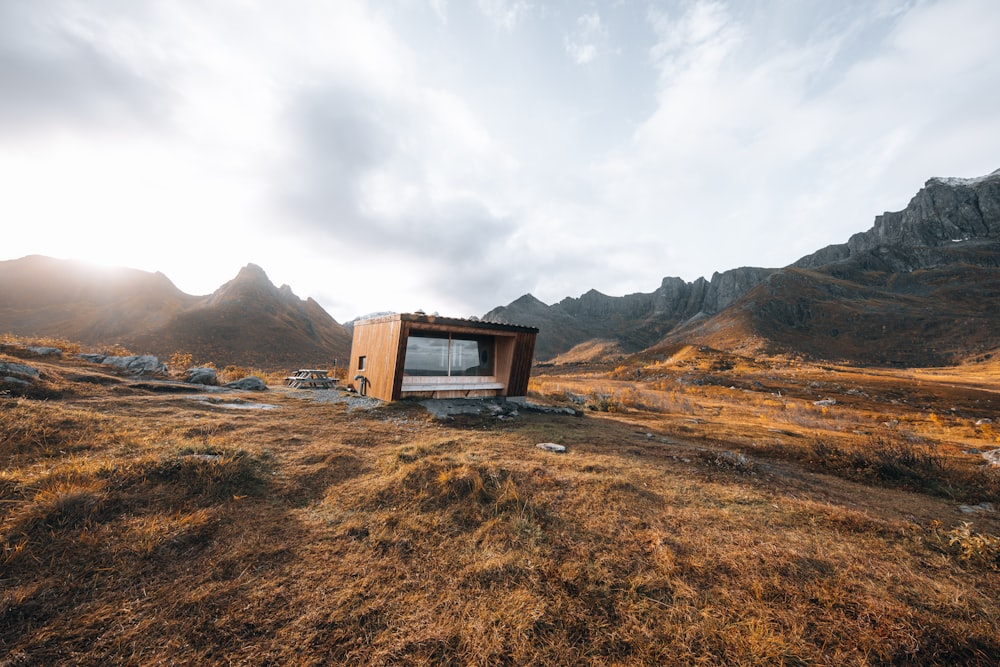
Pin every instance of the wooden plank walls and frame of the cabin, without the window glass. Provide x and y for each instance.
(382, 341)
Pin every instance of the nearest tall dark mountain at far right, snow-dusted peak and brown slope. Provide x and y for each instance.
(920, 288)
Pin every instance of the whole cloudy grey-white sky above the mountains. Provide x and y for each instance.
(452, 156)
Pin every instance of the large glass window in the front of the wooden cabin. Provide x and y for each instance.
(448, 355)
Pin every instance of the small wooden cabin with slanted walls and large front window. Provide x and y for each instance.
(426, 356)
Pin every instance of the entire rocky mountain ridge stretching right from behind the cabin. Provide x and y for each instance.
(921, 287)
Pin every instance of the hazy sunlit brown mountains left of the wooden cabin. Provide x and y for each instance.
(247, 321)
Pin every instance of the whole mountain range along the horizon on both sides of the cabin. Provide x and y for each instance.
(920, 288)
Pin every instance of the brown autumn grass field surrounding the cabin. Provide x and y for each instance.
(707, 511)
